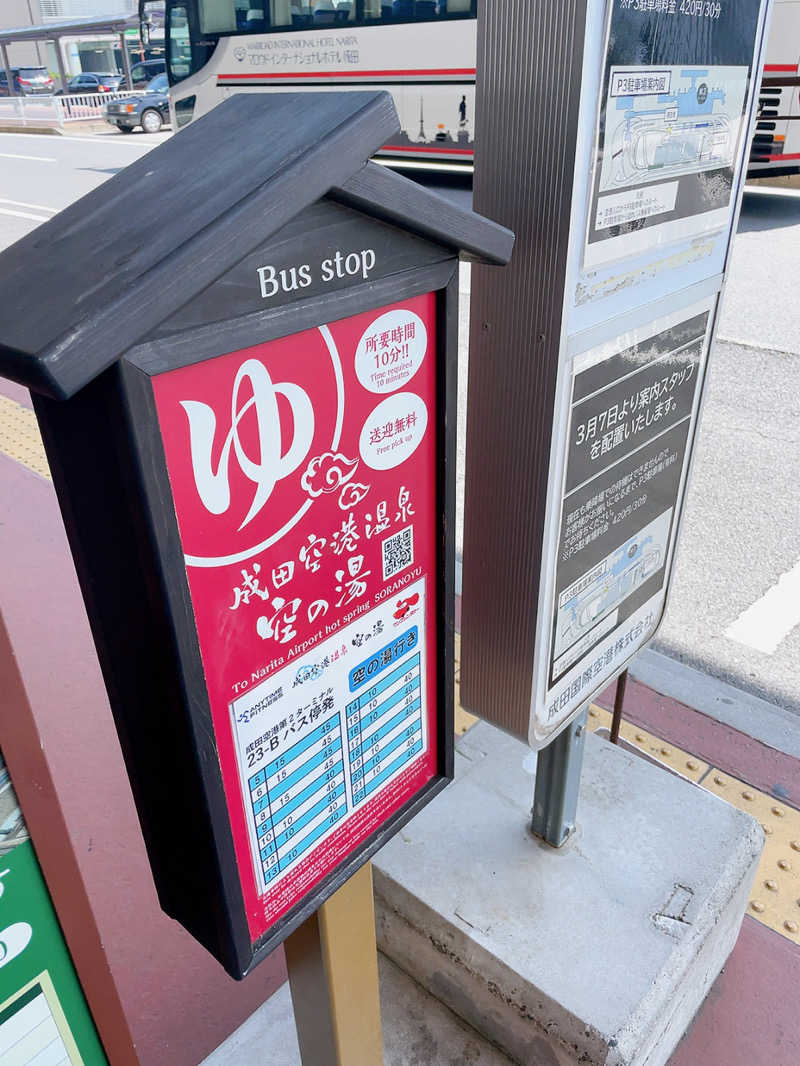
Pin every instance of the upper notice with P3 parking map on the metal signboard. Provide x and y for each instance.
(671, 120)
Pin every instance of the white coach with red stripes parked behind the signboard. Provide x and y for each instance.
(423, 52)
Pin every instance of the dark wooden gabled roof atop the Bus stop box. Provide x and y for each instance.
(83, 288)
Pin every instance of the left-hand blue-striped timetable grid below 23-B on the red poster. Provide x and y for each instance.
(297, 798)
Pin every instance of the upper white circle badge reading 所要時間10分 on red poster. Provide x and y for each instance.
(391, 351)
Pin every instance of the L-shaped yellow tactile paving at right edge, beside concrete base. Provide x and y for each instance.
(776, 895)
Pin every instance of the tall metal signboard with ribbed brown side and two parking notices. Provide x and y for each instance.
(614, 298)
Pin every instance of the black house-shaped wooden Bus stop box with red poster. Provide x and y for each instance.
(250, 419)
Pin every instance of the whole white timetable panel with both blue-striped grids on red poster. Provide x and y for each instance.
(360, 730)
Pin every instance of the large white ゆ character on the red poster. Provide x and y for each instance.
(273, 465)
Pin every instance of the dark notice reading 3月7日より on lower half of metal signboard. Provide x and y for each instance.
(633, 410)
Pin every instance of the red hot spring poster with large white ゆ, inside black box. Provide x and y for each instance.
(303, 474)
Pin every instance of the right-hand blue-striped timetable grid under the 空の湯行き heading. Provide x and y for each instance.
(385, 726)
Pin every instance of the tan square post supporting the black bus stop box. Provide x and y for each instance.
(332, 960)
